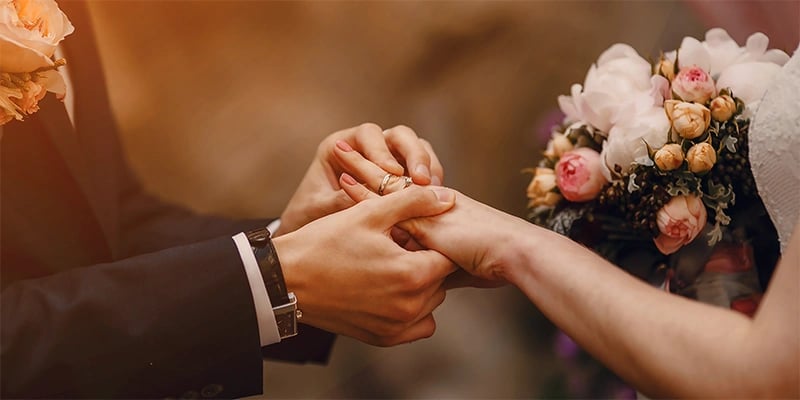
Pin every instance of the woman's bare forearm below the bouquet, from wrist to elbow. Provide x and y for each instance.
(663, 344)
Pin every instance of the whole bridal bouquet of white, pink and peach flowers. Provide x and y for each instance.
(650, 166)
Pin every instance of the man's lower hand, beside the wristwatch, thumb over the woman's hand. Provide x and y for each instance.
(351, 278)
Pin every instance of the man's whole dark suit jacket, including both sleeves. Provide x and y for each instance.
(106, 291)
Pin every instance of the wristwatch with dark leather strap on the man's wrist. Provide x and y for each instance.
(284, 304)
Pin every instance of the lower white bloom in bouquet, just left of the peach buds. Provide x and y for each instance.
(626, 141)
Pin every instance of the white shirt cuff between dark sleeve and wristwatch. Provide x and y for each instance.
(267, 327)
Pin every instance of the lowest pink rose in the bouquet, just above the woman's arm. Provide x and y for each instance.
(679, 221)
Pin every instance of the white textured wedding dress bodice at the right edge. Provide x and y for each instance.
(775, 149)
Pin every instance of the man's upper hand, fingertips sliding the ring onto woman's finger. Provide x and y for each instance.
(397, 150)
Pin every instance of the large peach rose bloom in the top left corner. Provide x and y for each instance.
(30, 30)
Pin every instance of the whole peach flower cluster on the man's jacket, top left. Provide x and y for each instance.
(30, 31)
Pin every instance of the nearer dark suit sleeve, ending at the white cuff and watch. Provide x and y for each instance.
(156, 325)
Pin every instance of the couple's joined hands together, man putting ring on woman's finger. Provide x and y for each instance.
(375, 267)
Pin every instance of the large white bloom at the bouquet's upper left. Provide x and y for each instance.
(619, 78)
